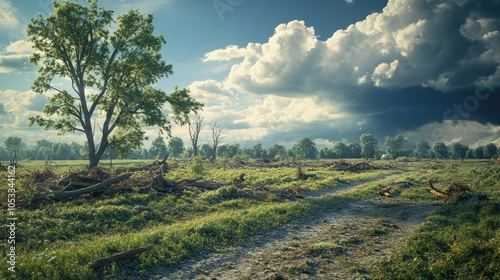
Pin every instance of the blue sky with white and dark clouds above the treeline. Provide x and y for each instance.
(277, 71)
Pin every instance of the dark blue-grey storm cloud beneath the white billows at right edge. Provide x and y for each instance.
(388, 112)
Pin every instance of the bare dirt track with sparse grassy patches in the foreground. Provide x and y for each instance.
(341, 243)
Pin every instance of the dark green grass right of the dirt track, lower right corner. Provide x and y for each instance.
(461, 241)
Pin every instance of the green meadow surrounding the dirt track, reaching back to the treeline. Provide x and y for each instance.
(59, 239)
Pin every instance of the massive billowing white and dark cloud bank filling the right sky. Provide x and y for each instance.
(414, 64)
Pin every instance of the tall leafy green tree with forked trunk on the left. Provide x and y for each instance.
(111, 66)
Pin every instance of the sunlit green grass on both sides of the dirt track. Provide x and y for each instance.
(58, 240)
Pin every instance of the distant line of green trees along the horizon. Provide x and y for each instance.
(367, 147)
